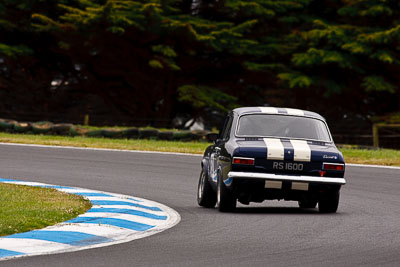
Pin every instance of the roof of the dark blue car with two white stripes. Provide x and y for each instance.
(280, 111)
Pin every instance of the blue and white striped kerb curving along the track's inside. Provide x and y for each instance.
(113, 219)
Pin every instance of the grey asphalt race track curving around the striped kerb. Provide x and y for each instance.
(365, 231)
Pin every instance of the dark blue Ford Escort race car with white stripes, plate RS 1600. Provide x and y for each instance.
(266, 153)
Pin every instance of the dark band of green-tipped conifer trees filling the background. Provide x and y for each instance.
(162, 58)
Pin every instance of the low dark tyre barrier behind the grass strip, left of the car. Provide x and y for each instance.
(67, 129)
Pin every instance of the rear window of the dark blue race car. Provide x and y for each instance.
(266, 125)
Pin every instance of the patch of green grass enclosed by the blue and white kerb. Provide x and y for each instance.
(25, 208)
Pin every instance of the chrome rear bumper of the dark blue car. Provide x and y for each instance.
(293, 178)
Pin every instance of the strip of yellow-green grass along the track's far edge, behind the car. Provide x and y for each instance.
(388, 157)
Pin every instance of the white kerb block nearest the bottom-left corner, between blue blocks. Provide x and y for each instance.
(31, 246)
